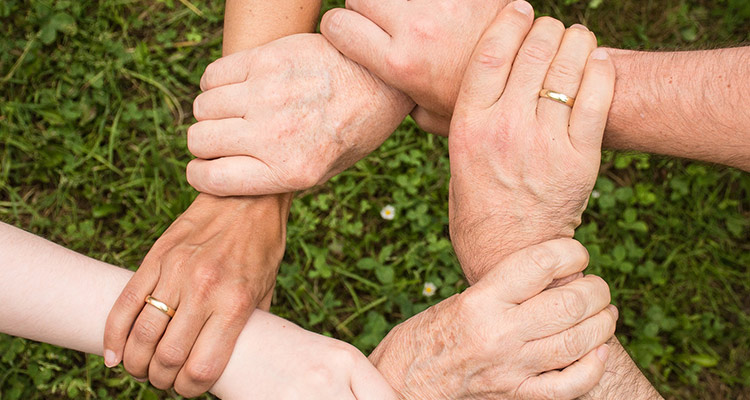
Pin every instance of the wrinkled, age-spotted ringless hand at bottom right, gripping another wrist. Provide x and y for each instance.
(506, 337)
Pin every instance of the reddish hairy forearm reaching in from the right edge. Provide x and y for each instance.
(683, 104)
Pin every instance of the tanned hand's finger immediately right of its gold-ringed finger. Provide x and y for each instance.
(174, 348)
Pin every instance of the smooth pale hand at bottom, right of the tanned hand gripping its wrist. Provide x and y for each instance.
(275, 359)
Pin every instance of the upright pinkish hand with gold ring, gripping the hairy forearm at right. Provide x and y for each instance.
(522, 166)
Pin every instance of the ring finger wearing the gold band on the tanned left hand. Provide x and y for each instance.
(147, 331)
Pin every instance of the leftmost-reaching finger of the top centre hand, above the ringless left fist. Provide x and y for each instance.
(359, 39)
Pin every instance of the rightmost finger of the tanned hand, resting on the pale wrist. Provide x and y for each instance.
(209, 356)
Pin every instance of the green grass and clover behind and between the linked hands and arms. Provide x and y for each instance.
(94, 104)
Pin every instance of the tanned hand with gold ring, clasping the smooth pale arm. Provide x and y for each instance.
(213, 265)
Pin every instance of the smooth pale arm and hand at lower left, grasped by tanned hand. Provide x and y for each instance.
(54, 295)
